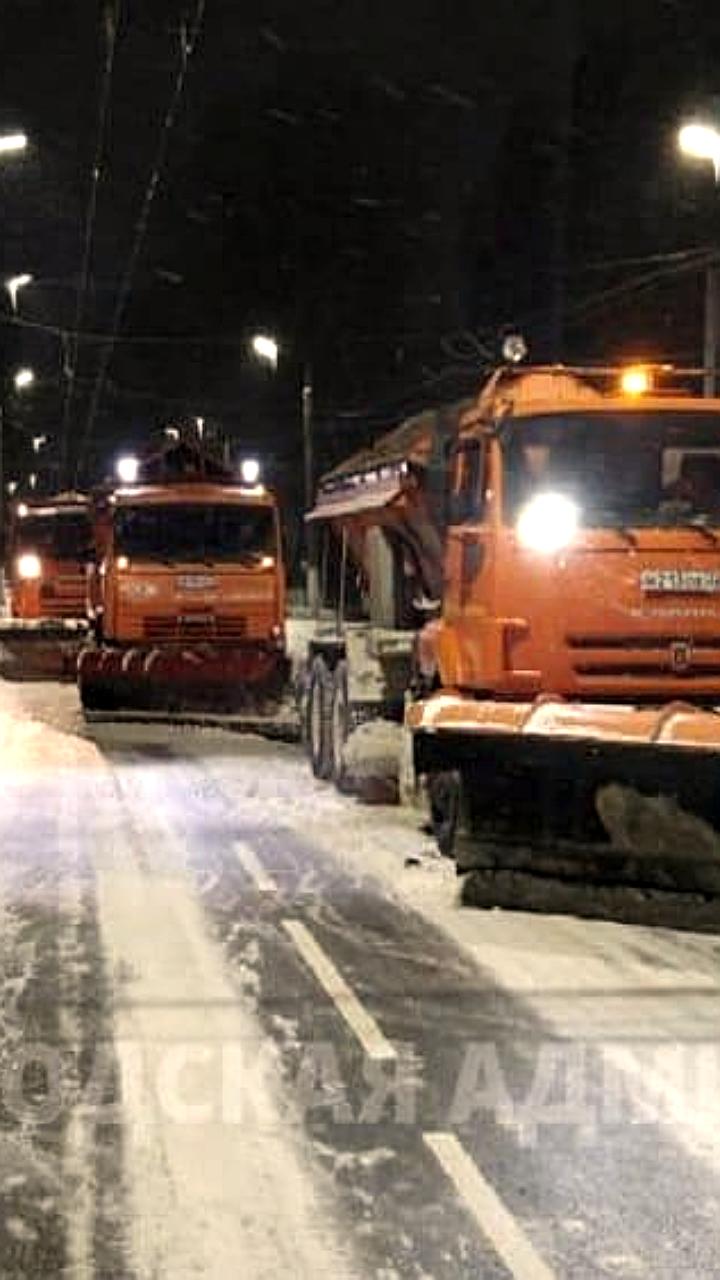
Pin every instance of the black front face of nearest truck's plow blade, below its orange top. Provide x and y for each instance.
(595, 813)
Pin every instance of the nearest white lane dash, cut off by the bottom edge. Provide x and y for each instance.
(495, 1220)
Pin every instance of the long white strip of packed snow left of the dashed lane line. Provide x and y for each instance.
(209, 1191)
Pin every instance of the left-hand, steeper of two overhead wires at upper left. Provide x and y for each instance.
(71, 350)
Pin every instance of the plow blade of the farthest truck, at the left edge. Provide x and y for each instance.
(45, 650)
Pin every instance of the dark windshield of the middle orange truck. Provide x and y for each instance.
(195, 533)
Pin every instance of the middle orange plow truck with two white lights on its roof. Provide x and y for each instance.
(189, 596)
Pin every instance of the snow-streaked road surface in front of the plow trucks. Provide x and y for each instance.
(248, 1032)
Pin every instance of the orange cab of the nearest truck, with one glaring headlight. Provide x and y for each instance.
(584, 545)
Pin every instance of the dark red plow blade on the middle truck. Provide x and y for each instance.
(195, 683)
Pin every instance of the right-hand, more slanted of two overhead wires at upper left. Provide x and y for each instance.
(189, 40)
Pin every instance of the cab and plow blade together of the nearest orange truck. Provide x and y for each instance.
(567, 717)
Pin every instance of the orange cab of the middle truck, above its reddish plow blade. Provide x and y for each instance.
(192, 563)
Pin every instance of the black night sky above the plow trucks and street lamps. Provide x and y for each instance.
(386, 188)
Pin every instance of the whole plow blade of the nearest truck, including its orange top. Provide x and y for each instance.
(603, 796)
